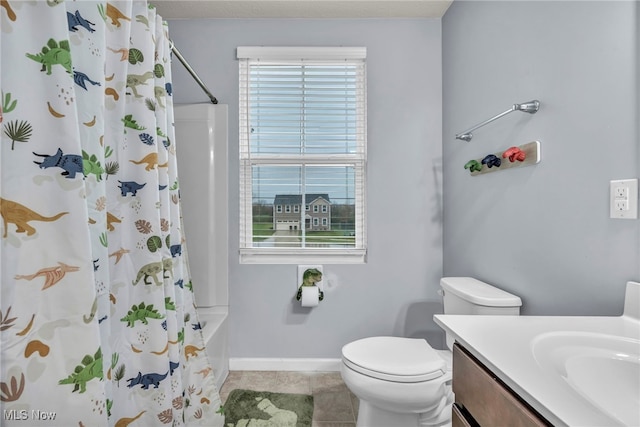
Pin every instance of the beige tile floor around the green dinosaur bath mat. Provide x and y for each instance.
(334, 404)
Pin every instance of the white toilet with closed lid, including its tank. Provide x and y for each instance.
(403, 382)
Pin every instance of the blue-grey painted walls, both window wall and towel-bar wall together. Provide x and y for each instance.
(542, 232)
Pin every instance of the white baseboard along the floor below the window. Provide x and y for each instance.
(276, 364)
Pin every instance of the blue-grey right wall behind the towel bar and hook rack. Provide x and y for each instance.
(543, 232)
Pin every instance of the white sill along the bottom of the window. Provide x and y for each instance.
(302, 256)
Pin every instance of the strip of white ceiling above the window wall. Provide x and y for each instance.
(193, 9)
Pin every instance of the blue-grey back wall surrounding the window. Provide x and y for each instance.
(395, 292)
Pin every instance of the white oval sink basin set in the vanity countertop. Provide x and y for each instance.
(603, 370)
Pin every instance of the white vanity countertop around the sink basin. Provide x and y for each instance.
(504, 344)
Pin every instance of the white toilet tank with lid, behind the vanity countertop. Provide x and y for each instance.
(466, 295)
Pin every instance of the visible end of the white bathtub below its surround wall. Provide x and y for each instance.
(214, 323)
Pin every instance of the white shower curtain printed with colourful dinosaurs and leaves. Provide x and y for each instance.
(97, 318)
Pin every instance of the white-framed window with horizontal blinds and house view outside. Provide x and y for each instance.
(302, 142)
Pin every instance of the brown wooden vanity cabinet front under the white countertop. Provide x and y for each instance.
(481, 399)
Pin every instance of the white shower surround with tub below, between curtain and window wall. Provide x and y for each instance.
(203, 129)
